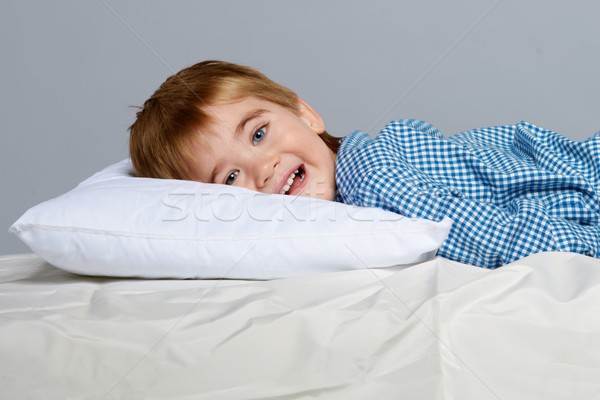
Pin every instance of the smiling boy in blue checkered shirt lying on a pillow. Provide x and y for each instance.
(511, 191)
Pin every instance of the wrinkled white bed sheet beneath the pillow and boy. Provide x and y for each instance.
(436, 330)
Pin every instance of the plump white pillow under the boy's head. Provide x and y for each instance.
(115, 224)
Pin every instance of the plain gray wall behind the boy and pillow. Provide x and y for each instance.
(71, 70)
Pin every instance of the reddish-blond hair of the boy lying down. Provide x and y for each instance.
(161, 137)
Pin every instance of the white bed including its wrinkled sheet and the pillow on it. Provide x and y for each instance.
(158, 289)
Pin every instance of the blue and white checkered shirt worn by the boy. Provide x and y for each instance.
(511, 191)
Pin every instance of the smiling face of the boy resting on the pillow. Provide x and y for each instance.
(262, 146)
